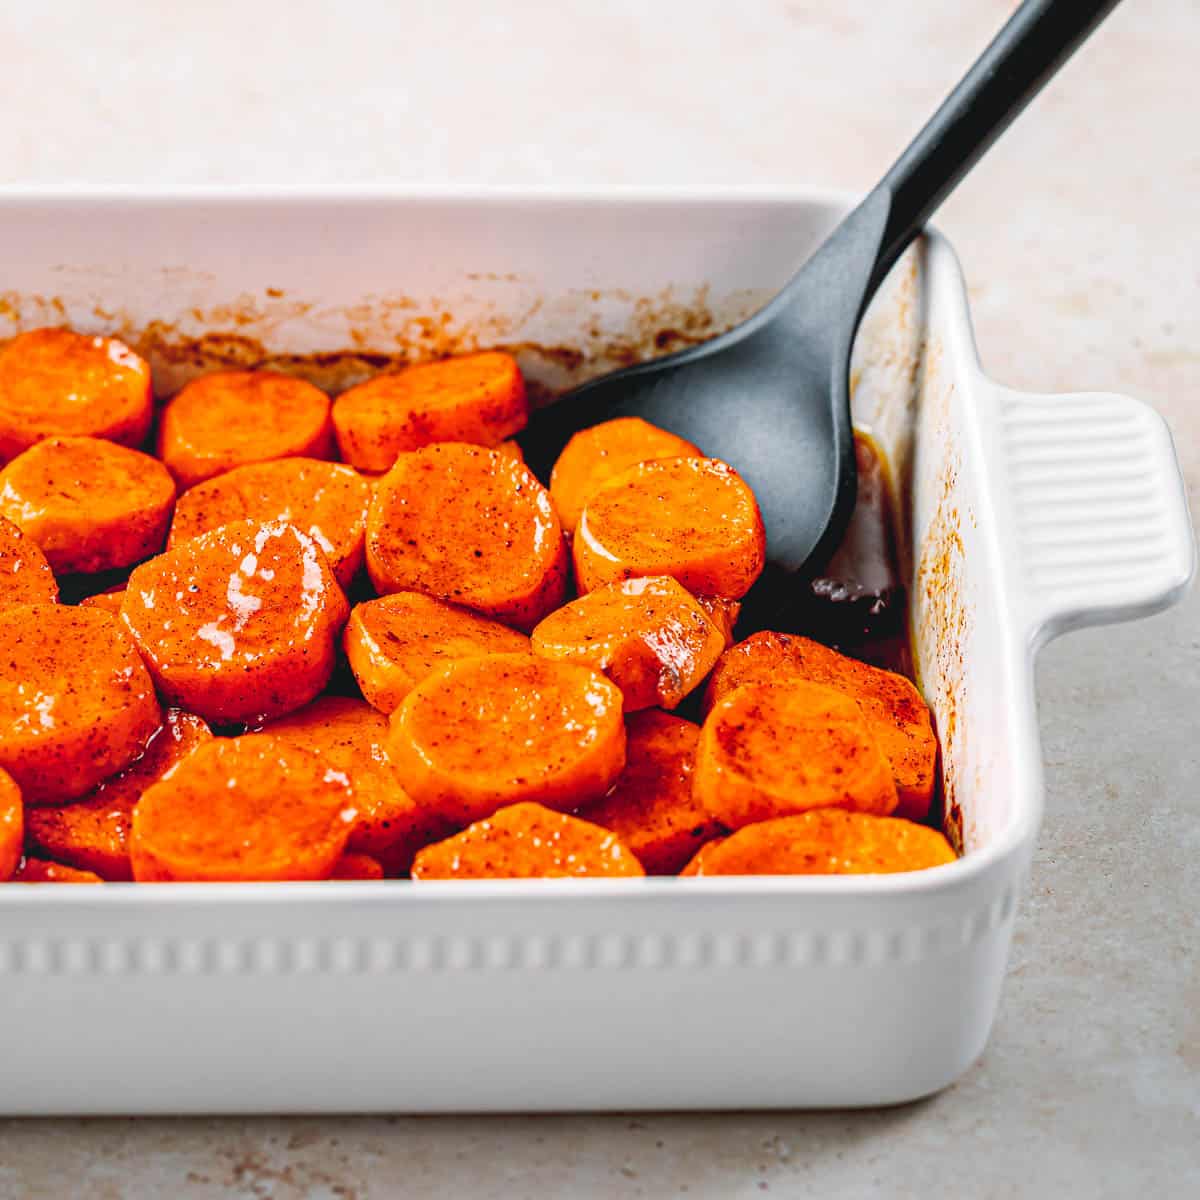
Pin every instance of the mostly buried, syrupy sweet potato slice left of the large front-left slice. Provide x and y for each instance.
(94, 833)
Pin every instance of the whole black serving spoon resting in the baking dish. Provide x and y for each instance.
(772, 395)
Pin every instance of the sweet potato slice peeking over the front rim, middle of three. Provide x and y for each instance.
(526, 842)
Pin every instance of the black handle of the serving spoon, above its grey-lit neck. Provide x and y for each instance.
(1037, 40)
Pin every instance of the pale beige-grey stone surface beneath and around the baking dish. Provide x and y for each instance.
(1081, 237)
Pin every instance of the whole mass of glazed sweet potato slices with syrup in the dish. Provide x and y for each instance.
(530, 679)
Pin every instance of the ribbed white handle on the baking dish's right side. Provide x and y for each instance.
(1097, 511)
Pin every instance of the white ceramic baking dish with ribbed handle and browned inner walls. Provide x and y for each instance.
(1023, 517)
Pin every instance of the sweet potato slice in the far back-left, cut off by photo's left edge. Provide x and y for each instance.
(58, 383)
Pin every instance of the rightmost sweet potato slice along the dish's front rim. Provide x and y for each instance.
(827, 842)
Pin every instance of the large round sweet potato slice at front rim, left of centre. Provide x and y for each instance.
(247, 809)
